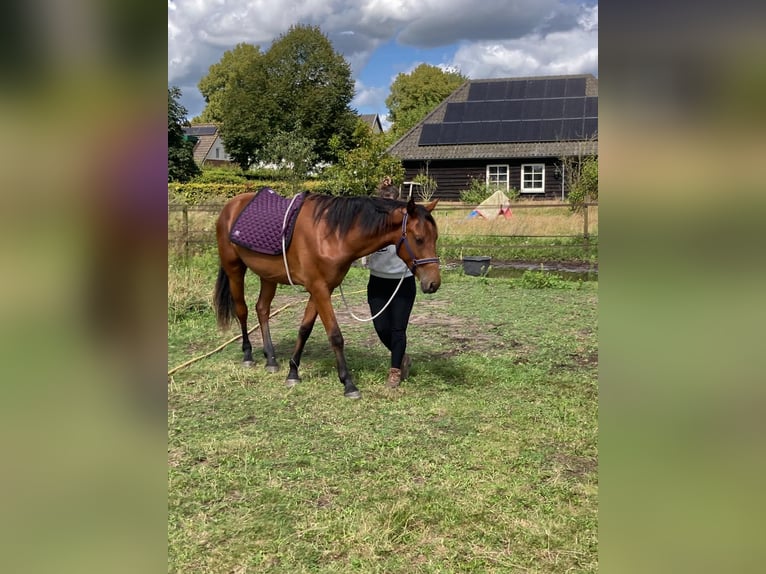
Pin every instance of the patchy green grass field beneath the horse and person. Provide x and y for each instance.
(485, 460)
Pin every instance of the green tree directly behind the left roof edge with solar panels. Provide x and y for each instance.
(415, 94)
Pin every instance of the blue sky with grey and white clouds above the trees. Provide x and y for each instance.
(382, 38)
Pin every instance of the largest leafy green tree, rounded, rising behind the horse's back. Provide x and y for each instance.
(300, 85)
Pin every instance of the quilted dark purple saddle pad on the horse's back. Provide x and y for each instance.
(261, 225)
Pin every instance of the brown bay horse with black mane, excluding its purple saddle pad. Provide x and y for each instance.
(329, 234)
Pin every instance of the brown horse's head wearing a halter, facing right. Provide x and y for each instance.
(417, 246)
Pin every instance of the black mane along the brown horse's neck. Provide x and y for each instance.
(342, 213)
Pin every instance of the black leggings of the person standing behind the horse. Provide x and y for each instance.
(391, 325)
